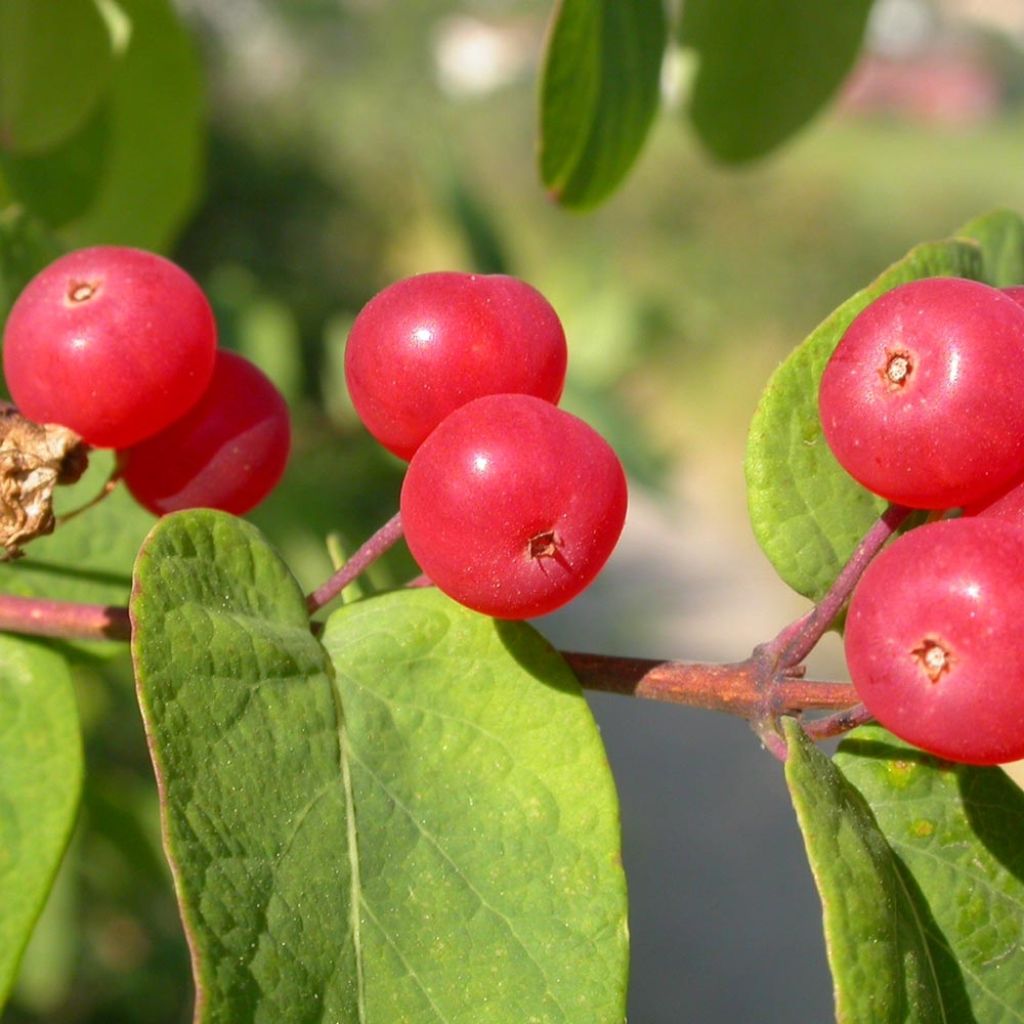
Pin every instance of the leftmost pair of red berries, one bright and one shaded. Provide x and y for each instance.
(120, 347)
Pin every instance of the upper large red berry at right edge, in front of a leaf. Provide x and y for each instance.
(921, 402)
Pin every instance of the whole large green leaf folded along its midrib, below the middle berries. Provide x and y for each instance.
(424, 830)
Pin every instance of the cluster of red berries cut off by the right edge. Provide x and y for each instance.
(923, 403)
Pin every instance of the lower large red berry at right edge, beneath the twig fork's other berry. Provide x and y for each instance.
(933, 639)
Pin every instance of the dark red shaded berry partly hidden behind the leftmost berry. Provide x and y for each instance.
(229, 452)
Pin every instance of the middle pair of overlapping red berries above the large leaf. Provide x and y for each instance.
(510, 505)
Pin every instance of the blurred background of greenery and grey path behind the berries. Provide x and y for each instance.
(355, 142)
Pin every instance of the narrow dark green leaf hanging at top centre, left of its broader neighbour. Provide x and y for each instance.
(600, 92)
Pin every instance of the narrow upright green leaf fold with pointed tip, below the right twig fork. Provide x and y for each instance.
(883, 962)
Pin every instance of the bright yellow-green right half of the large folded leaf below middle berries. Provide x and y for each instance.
(484, 798)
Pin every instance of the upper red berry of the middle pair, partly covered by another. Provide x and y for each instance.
(429, 345)
